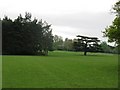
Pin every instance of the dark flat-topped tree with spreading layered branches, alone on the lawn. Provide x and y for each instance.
(86, 44)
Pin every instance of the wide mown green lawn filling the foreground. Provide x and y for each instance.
(60, 70)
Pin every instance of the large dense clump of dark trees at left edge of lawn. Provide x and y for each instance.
(26, 36)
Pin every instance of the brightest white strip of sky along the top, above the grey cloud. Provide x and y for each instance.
(55, 6)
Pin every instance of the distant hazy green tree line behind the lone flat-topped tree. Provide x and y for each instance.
(76, 45)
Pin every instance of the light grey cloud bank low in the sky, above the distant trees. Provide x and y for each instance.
(89, 24)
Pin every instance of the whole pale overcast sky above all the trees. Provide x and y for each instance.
(68, 17)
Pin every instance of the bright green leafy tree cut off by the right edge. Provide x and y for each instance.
(113, 31)
